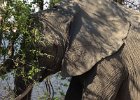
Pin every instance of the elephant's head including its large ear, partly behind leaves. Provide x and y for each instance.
(84, 33)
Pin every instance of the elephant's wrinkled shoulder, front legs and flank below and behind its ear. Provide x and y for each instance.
(116, 77)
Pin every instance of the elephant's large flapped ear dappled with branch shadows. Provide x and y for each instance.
(97, 31)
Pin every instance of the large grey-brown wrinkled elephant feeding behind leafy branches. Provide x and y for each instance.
(96, 42)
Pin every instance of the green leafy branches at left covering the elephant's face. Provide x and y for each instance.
(20, 32)
